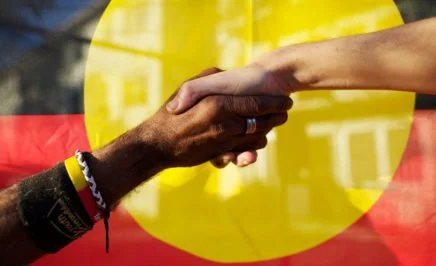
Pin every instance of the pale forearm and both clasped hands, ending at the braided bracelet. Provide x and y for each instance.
(224, 116)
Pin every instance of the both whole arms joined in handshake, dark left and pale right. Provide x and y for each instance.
(218, 116)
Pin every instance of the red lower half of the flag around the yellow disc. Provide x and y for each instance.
(399, 230)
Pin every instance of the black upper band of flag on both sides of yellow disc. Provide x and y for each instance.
(44, 45)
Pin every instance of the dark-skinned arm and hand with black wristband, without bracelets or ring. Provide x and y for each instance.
(214, 126)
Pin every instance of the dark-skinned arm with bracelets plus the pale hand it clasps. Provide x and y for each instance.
(216, 116)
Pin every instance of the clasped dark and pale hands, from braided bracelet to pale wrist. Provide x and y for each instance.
(218, 116)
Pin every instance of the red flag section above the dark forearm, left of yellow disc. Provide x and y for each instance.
(30, 144)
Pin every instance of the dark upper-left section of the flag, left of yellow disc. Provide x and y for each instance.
(36, 61)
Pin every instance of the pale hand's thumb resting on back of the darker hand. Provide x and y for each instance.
(190, 92)
